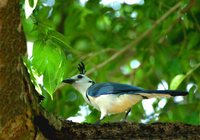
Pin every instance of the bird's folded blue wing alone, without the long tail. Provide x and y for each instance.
(112, 88)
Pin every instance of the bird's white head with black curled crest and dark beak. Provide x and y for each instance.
(80, 81)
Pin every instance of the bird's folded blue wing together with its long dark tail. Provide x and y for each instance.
(119, 89)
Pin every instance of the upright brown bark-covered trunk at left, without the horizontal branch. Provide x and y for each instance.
(16, 94)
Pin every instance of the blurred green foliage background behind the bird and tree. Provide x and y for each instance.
(151, 44)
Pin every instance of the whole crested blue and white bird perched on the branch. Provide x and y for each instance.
(112, 98)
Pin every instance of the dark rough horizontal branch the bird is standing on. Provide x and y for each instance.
(121, 130)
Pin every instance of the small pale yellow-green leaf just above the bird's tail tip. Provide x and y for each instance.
(176, 81)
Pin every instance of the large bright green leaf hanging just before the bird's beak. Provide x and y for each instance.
(50, 61)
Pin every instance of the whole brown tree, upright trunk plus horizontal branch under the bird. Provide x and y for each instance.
(21, 116)
